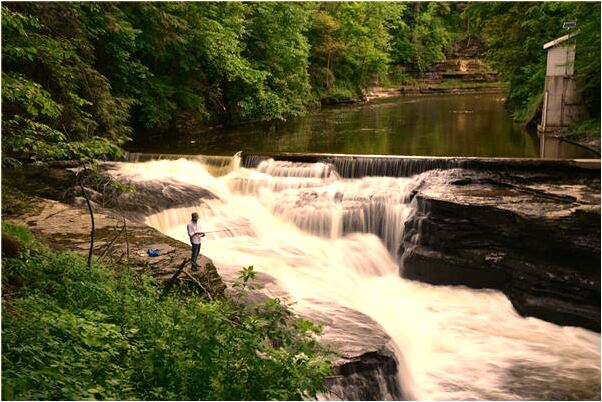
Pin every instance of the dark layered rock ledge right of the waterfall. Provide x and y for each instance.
(538, 243)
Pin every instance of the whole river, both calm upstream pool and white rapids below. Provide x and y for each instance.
(327, 240)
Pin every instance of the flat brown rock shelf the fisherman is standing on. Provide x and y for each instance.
(67, 227)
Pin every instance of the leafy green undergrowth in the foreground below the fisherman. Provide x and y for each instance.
(71, 332)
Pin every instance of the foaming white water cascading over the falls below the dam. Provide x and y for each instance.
(332, 242)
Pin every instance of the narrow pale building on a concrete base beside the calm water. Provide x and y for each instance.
(562, 104)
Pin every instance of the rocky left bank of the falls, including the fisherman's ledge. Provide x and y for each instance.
(365, 367)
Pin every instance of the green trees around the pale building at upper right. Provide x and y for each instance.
(514, 34)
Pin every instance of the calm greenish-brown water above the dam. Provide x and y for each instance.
(451, 125)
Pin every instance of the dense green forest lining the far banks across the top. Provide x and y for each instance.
(80, 79)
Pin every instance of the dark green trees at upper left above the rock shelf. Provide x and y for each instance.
(52, 94)
